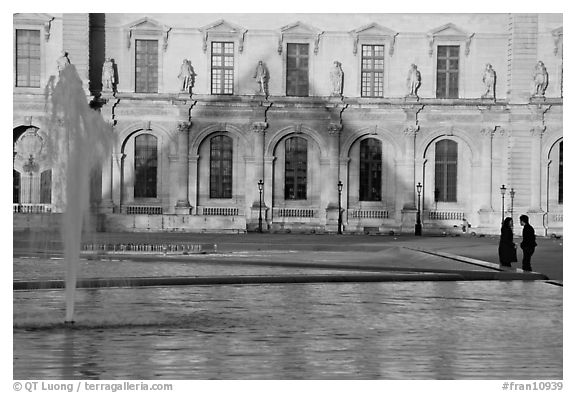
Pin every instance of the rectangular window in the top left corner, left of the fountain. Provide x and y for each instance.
(28, 58)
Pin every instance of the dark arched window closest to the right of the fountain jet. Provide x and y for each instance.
(145, 166)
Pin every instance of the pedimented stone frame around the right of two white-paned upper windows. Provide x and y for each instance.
(373, 34)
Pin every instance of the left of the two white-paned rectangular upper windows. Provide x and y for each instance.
(222, 68)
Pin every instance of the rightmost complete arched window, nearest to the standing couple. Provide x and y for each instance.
(446, 170)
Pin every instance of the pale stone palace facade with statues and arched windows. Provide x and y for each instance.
(205, 106)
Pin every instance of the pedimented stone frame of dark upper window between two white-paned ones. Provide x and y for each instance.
(299, 33)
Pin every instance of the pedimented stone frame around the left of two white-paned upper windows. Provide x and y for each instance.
(222, 31)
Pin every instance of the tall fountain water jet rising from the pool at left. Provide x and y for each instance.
(80, 141)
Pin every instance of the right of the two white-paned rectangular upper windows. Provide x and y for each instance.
(372, 70)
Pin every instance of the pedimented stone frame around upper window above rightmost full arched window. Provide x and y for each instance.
(450, 34)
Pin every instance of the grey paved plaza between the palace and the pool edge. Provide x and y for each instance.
(464, 252)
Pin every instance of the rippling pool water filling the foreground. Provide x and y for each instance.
(422, 330)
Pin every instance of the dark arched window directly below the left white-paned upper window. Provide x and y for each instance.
(221, 167)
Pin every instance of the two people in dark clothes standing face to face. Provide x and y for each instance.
(507, 247)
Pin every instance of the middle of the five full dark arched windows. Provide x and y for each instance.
(296, 168)
